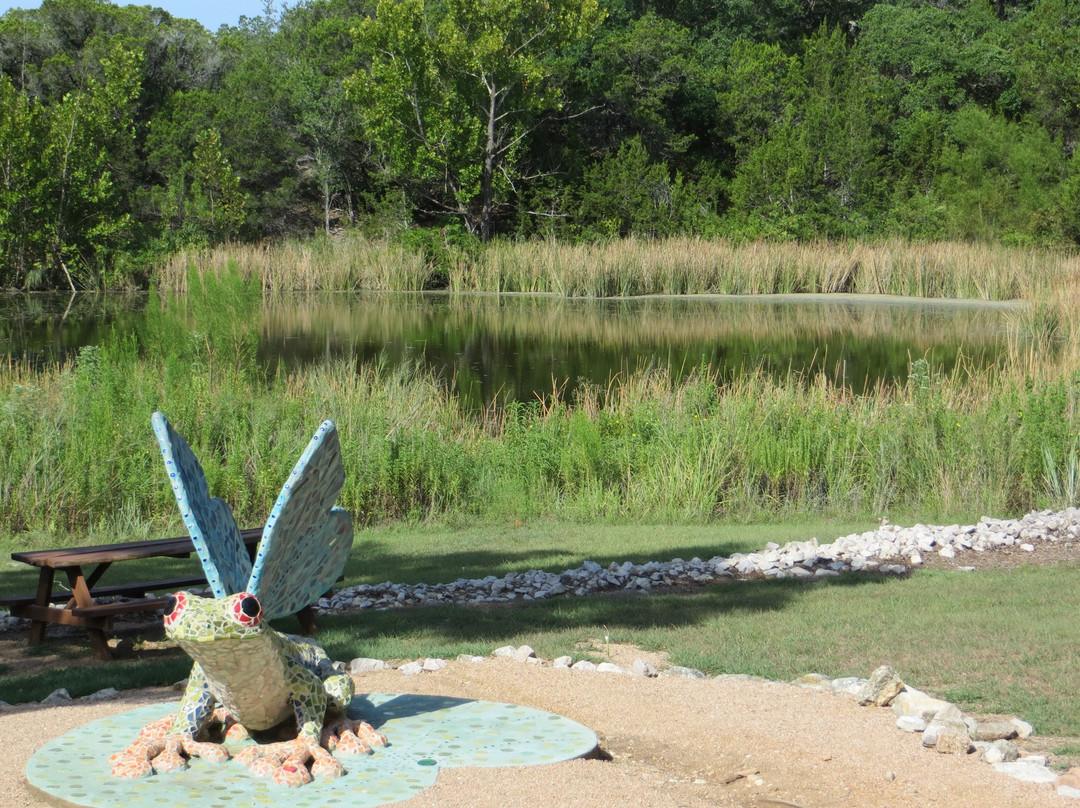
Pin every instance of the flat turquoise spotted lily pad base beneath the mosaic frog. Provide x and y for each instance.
(426, 733)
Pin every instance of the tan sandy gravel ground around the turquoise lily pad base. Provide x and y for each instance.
(671, 743)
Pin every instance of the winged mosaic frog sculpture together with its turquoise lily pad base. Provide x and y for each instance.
(249, 678)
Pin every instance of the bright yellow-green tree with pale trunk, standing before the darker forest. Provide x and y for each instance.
(455, 89)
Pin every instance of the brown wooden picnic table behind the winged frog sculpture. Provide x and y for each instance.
(76, 607)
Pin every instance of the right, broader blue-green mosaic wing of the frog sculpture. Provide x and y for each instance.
(307, 540)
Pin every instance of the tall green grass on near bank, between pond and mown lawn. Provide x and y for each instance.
(78, 459)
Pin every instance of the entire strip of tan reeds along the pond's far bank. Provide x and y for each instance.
(634, 267)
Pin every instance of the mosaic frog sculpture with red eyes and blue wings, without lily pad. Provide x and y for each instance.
(249, 678)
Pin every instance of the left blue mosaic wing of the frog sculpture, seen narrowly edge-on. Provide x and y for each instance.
(210, 521)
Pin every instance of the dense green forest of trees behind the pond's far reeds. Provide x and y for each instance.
(127, 134)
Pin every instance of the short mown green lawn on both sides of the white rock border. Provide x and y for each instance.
(996, 641)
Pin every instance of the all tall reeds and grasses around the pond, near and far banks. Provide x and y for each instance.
(77, 454)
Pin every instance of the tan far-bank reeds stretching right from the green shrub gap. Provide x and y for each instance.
(696, 266)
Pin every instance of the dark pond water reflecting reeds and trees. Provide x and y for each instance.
(514, 347)
